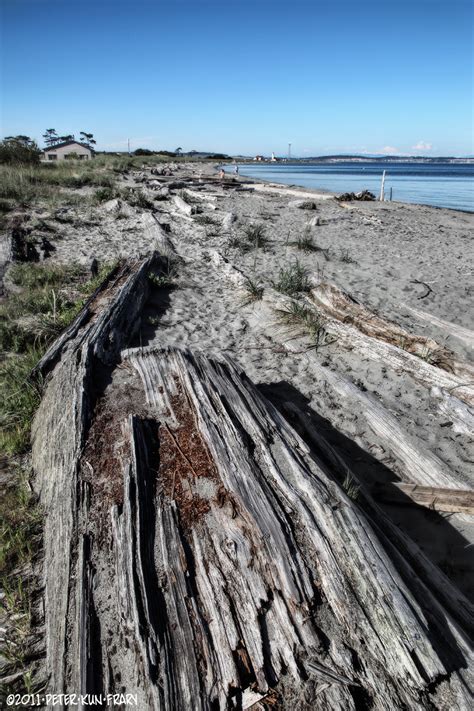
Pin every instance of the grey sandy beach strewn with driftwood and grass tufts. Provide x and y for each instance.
(408, 264)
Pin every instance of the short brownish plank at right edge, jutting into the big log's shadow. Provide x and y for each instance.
(449, 500)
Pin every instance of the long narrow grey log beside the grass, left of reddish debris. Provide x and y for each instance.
(90, 345)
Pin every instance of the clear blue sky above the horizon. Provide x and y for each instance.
(242, 76)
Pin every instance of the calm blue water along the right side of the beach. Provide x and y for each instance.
(429, 184)
